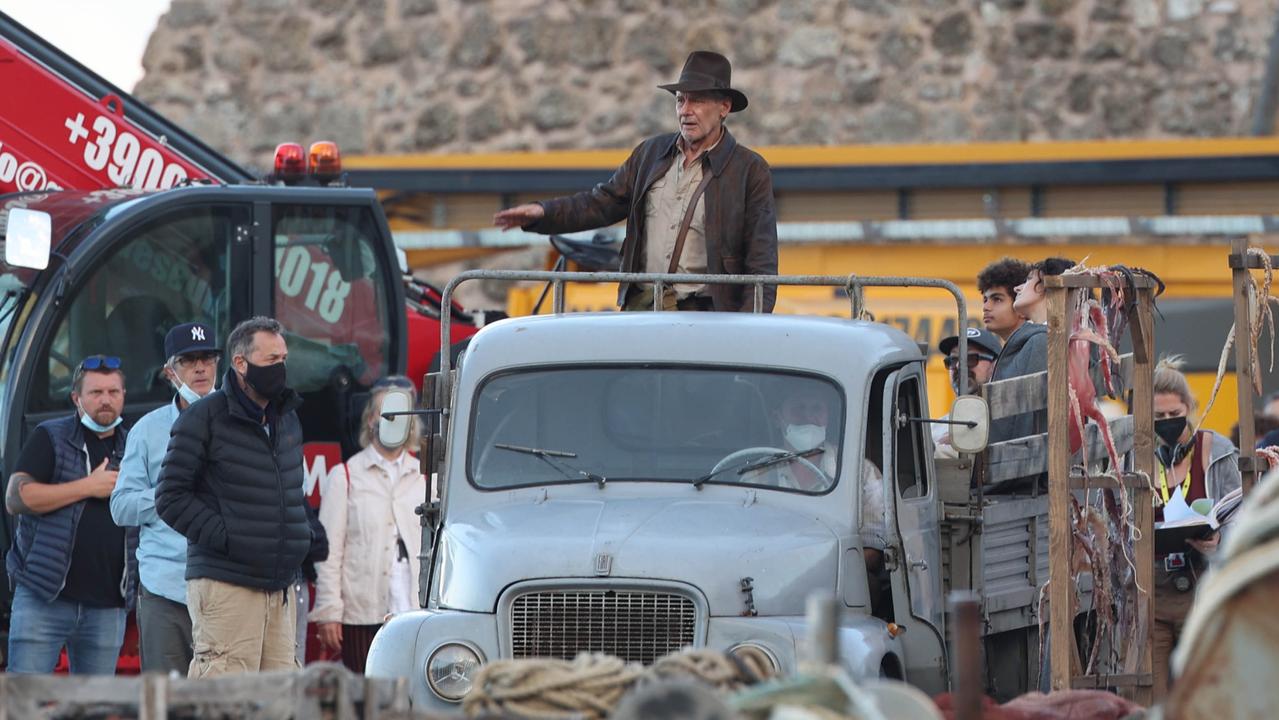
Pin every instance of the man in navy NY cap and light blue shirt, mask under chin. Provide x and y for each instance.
(164, 623)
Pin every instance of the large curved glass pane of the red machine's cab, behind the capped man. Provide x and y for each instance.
(172, 270)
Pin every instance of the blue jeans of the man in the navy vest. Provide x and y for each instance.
(39, 631)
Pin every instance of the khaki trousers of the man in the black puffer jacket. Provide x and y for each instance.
(241, 630)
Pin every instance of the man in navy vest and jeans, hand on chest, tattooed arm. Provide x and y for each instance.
(68, 563)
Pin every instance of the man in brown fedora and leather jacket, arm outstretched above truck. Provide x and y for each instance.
(695, 201)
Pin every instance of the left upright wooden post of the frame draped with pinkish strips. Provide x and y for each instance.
(1061, 593)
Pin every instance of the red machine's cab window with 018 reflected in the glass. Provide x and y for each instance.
(331, 293)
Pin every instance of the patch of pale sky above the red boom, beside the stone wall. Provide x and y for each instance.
(107, 36)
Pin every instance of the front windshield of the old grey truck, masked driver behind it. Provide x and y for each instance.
(700, 427)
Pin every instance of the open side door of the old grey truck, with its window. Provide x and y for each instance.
(911, 498)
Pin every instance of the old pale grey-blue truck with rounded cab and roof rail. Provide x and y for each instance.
(629, 484)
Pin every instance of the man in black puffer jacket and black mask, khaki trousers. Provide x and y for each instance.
(232, 484)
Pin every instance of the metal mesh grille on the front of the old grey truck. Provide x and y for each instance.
(636, 626)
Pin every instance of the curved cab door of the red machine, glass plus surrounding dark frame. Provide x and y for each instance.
(175, 267)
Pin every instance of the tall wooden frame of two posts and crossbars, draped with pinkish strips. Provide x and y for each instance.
(1067, 667)
